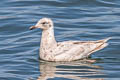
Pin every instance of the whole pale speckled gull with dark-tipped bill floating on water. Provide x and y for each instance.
(51, 50)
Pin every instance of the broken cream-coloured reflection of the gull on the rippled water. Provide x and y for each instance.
(76, 70)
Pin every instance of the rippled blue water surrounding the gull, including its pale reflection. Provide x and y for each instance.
(73, 20)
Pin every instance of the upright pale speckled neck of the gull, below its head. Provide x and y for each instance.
(48, 38)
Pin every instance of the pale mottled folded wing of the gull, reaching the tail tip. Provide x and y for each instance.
(73, 50)
